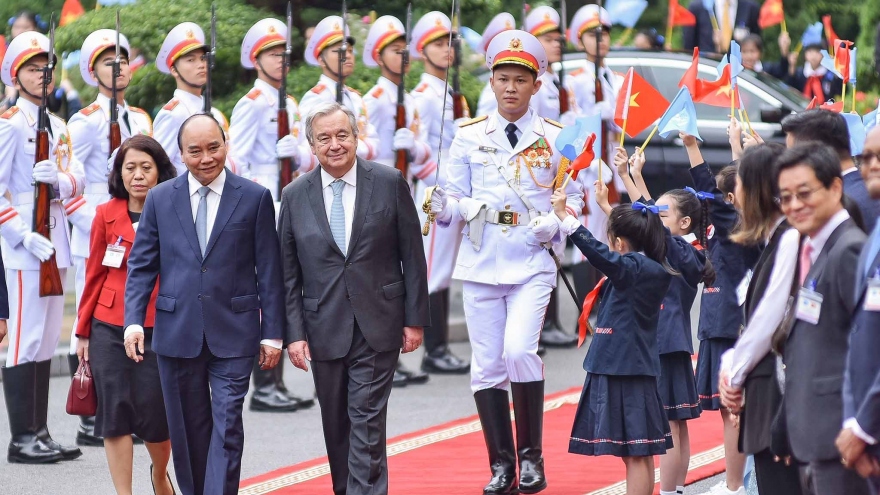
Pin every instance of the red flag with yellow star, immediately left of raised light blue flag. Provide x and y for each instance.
(639, 104)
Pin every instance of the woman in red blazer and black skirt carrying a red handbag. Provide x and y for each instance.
(129, 393)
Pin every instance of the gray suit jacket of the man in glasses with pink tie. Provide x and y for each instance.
(815, 355)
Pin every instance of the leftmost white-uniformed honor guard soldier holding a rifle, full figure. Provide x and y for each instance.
(35, 322)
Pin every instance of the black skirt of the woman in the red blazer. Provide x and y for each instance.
(129, 393)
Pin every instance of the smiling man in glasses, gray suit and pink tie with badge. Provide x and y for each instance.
(811, 194)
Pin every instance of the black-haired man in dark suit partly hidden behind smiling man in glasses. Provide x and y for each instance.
(830, 128)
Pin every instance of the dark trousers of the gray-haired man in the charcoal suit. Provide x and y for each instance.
(353, 393)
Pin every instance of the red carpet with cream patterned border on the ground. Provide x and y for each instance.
(421, 462)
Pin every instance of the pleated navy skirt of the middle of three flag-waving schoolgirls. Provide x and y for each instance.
(678, 387)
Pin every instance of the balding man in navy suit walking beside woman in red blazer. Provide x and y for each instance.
(209, 236)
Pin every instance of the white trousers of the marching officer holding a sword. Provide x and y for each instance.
(504, 325)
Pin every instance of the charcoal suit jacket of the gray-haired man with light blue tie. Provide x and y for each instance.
(381, 283)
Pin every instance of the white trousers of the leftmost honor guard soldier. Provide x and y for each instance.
(34, 321)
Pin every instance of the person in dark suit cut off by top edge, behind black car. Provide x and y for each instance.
(741, 17)
